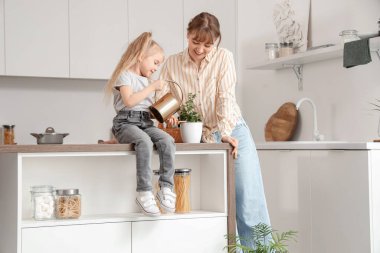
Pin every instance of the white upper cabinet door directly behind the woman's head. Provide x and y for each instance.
(224, 10)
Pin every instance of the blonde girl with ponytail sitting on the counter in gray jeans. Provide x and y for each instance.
(133, 94)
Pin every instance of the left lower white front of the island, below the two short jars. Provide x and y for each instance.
(94, 238)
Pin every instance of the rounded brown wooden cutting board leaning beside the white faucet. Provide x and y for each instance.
(282, 124)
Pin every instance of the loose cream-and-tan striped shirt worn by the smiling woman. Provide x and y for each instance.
(214, 85)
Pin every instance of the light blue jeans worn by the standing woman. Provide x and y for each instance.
(251, 207)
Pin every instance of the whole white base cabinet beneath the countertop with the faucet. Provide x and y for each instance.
(331, 197)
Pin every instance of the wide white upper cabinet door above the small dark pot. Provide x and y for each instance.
(37, 38)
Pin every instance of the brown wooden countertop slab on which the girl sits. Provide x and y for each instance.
(102, 147)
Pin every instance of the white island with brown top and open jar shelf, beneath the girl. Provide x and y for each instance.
(111, 221)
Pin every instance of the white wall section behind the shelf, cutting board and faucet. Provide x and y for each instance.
(342, 95)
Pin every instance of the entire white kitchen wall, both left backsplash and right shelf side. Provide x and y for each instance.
(342, 95)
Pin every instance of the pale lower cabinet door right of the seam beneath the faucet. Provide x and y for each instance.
(340, 201)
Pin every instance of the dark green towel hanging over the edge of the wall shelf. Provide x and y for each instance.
(356, 53)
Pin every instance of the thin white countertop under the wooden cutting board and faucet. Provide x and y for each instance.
(324, 145)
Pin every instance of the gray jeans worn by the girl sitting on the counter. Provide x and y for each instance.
(137, 127)
